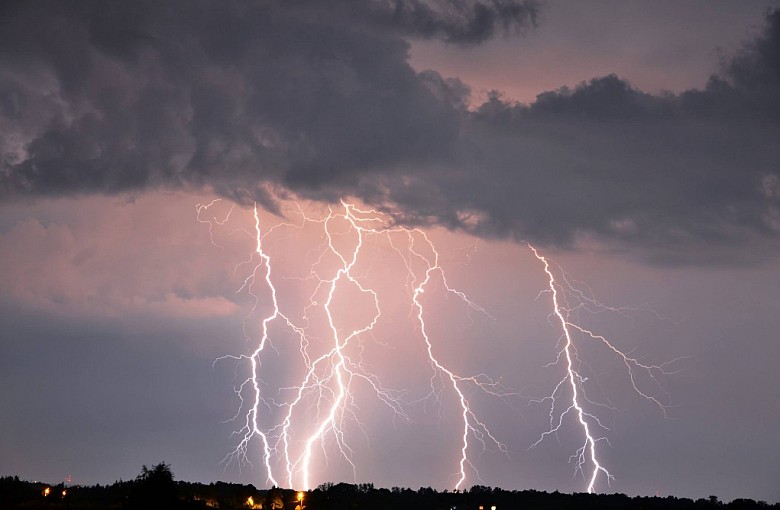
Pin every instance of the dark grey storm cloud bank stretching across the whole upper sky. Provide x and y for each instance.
(258, 100)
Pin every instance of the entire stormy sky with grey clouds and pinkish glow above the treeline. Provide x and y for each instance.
(635, 144)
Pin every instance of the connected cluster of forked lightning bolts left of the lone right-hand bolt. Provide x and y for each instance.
(331, 375)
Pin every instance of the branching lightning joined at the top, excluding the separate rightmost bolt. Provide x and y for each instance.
(325, 391)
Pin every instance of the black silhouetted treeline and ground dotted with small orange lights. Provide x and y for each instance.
(155, 488)
